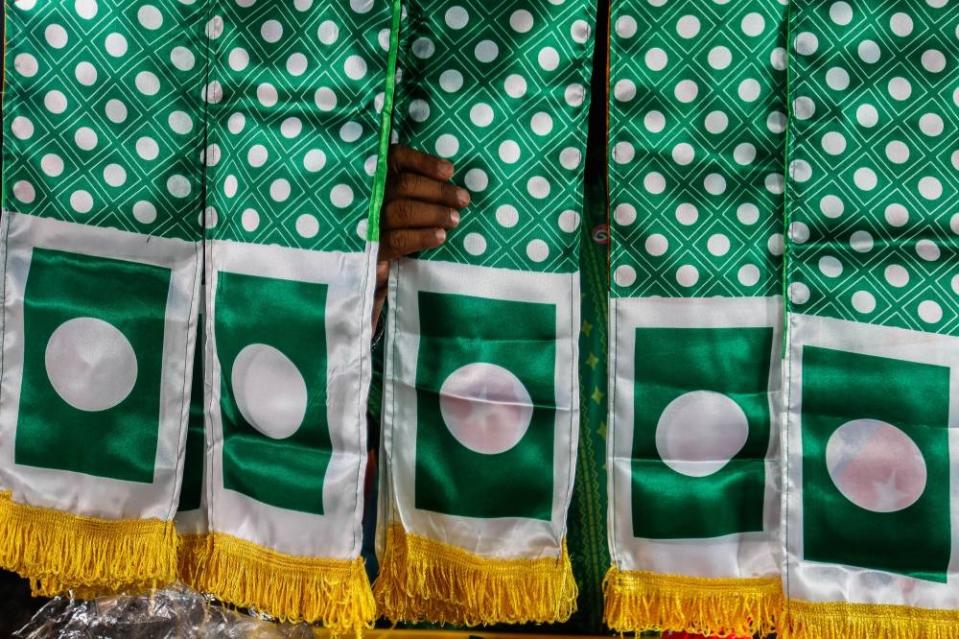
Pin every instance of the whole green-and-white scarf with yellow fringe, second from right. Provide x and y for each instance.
(696, 130)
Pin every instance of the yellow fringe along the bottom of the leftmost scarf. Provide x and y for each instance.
(59, 551)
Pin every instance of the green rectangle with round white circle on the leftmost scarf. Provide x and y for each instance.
(92, 363)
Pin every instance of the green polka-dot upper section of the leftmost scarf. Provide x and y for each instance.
(103, 109)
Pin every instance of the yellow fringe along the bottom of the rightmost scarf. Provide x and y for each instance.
(807, 620)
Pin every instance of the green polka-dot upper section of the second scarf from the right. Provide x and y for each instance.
(696, 134)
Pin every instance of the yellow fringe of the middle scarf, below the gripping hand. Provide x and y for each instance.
(425, 580)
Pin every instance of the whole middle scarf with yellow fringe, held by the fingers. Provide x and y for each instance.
(481, 398)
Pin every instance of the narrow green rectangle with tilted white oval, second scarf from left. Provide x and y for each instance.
(271, 343)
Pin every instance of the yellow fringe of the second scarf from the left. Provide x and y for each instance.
(334, 592)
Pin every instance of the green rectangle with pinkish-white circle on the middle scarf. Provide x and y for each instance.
(486, 407)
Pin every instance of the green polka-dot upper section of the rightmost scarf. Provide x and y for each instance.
(875, 166)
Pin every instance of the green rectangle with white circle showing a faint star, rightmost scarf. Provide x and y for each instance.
(875, 463)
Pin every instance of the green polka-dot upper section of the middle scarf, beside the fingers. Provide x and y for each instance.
(500, 89)
